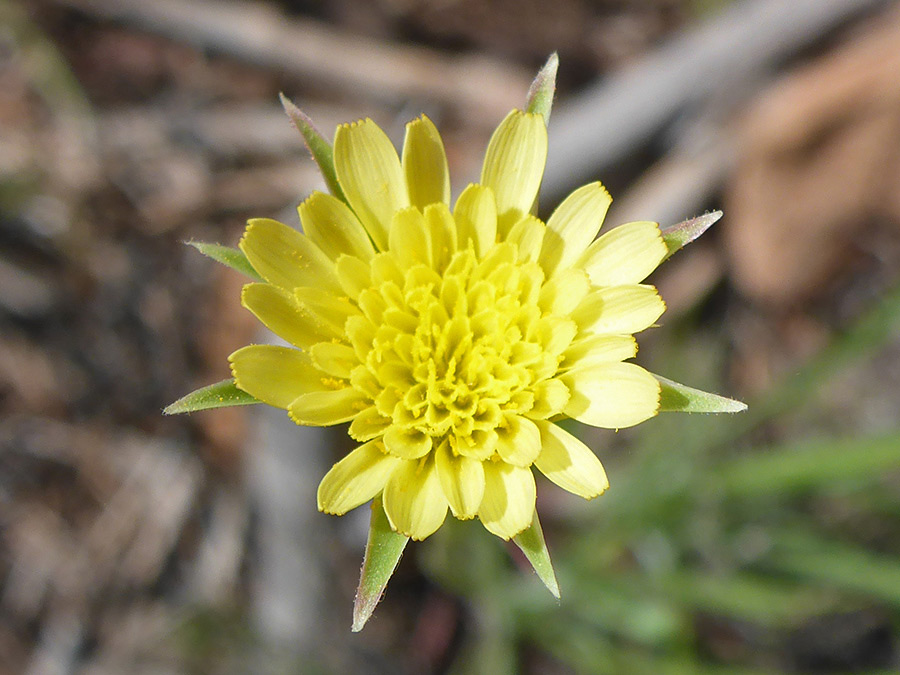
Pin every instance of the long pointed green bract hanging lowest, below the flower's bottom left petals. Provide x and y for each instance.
(383, 551)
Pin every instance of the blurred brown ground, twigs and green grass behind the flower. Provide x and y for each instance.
(768, 542)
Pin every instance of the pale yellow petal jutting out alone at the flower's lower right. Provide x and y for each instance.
(570, 463)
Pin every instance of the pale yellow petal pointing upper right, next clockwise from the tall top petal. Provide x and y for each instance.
(573, 226)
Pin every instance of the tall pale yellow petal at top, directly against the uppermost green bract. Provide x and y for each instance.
(514, 165)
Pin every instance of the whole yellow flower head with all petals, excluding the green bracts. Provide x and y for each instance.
(452, 340)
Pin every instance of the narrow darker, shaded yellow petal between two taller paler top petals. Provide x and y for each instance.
(425, 164)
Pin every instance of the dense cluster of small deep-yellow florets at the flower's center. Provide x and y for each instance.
(455, 355)
